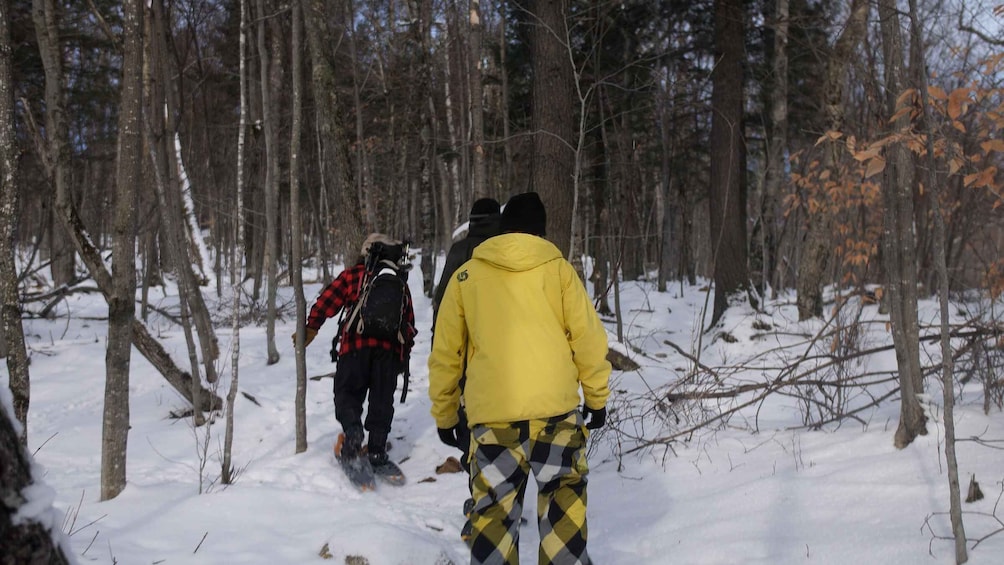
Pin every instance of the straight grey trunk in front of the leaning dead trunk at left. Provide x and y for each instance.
(122, 300)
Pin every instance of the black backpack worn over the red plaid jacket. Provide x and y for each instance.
(380, 311)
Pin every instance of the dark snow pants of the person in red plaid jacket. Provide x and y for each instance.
(369, 371)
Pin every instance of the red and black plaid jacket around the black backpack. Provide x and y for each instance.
(342, 294)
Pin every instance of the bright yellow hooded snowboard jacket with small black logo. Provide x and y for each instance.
(531, 334)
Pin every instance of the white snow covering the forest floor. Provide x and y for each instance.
(760, 488)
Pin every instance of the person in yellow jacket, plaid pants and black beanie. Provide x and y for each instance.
(533, 341)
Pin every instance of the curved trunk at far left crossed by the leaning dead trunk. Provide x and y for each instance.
(47, 20)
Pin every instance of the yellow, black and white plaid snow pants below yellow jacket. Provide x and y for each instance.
(555, 449)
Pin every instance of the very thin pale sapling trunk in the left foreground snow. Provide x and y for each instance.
(237, 257)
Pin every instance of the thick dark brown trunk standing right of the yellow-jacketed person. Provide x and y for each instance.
(727, 203)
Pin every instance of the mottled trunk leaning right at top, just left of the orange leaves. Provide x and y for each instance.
(818, 248)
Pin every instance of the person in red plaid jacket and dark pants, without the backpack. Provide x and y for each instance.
(365, 365)
